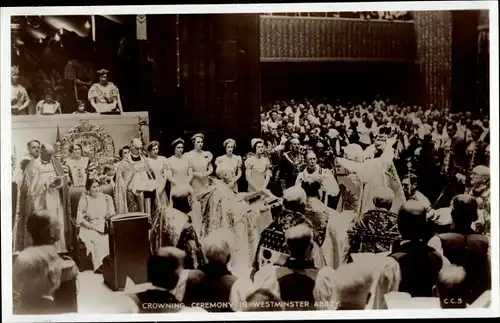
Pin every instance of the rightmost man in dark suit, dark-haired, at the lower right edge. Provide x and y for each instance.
(462, 246)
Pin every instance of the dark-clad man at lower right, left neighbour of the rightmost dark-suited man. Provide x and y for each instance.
(419, 264)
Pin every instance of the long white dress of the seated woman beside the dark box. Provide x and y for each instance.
(95, 210)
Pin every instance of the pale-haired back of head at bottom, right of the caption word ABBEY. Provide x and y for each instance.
(351, 287)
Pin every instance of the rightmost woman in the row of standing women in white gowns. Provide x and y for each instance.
(258, 168)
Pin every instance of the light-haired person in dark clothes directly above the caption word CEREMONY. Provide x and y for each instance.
(213, 281)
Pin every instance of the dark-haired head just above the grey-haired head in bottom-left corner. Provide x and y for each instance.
(40, 226)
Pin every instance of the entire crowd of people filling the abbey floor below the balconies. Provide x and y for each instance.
(330, 188)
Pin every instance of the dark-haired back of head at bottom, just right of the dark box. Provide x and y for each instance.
(164, 267)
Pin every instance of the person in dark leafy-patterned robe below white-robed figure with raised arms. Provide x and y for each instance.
(377, 230)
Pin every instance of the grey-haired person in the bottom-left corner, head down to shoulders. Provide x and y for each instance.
(37, 274)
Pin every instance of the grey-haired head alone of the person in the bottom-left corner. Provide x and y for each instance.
(37, 271)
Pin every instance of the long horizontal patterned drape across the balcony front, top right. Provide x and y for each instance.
(318, 38)
